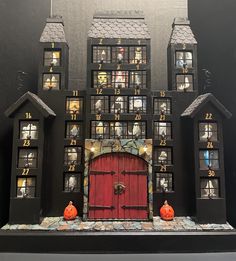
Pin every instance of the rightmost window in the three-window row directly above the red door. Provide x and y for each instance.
(136, 130)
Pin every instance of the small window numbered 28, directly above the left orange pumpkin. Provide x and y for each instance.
(72, 182)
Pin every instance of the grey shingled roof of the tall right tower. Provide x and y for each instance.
(182, 33)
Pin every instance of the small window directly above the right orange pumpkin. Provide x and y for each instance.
(164, 182)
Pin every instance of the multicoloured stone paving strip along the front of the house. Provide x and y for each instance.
(178, 224)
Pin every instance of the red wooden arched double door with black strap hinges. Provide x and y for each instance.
(118, 187)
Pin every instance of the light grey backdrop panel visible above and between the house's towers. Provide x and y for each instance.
(77, 15)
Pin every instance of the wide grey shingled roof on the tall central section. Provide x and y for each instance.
(119, 24)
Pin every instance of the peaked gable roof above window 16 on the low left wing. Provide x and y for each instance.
(35, 100)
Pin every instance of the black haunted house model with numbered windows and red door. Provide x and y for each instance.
(117, 149)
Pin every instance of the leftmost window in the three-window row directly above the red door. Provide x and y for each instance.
(99, 130)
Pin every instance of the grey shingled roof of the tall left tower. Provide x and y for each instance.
(53, 31)
